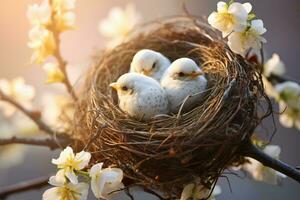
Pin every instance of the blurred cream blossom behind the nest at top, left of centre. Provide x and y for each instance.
(119, 23)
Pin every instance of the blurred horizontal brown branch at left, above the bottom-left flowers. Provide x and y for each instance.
(46, 142)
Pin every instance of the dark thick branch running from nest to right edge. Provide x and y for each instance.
(250, 150)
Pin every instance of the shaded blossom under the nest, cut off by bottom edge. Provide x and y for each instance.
(196, 191)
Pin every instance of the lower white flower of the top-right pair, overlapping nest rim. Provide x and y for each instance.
(241, 42)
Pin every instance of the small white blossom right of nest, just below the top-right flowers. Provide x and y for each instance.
(274, 66)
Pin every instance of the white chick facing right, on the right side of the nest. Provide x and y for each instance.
(183, 82)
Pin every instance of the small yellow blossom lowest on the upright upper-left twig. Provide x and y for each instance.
(55, 75)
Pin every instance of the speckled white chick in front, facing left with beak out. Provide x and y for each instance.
(140, 96)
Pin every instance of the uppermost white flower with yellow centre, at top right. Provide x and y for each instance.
(230, 18)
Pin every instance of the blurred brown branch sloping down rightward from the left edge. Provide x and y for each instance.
(35, 118)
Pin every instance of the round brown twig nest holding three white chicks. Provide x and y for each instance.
(168, 152)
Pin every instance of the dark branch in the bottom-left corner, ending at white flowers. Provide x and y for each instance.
(23, 186)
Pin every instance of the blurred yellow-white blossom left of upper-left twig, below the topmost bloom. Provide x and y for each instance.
(42, 42)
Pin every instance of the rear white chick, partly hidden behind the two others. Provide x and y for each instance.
(149, 63)
